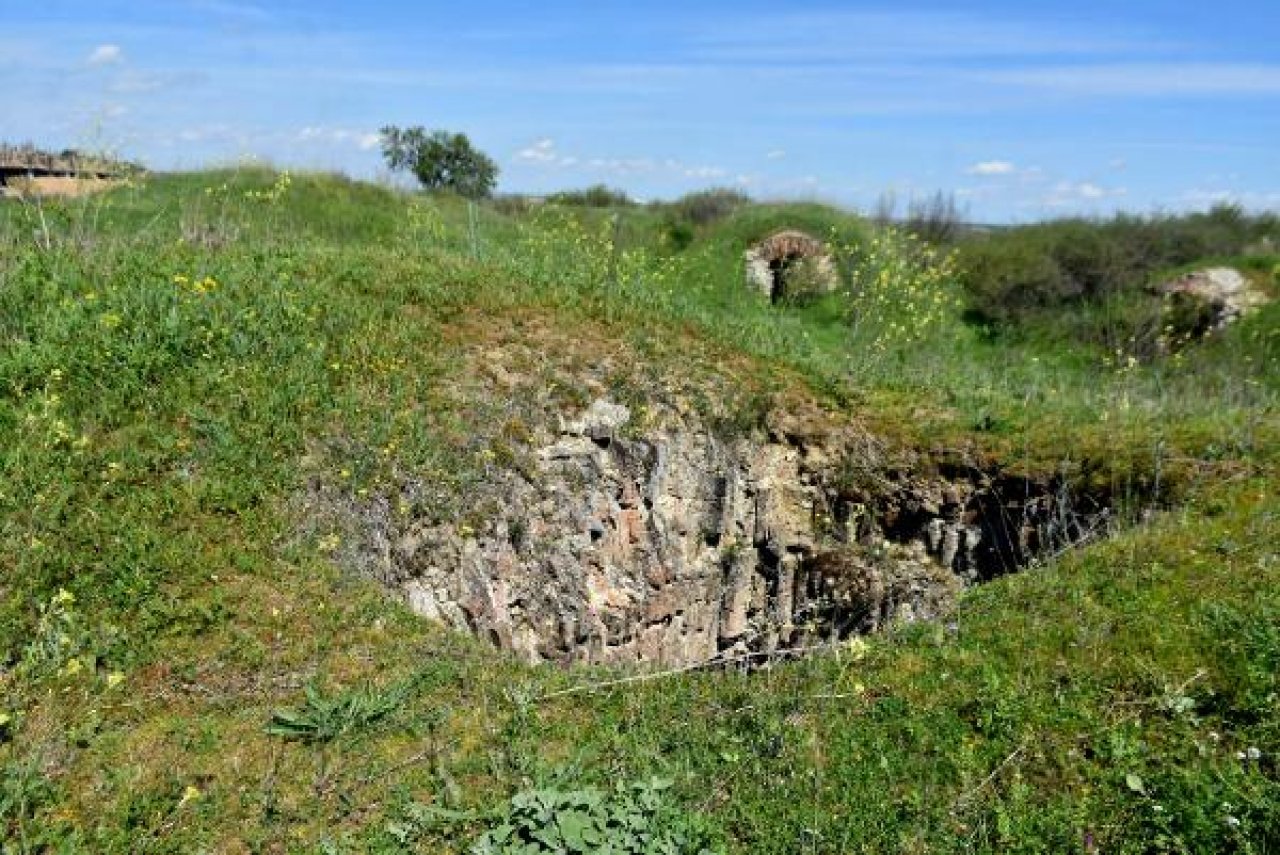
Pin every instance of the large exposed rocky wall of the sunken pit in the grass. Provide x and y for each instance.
(674, 546)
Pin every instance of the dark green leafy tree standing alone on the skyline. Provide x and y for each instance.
(441, 161)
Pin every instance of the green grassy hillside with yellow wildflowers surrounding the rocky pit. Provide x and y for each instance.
(188, 666)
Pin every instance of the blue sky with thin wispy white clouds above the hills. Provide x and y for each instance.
(1022, 109)
